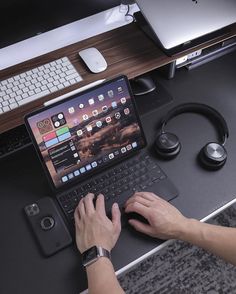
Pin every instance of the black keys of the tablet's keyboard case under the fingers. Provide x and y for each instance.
(117, 185)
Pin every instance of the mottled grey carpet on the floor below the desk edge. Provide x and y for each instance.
(184, 269)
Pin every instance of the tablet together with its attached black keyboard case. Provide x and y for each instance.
(94, 142)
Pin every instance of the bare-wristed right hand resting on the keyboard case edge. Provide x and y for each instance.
(165, 221)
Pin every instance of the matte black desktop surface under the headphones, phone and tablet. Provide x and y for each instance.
(24, 270)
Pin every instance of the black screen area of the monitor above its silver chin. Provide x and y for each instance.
(22, 19)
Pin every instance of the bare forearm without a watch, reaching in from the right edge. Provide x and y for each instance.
(219, 240)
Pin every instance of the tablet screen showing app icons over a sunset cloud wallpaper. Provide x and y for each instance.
(85, 132)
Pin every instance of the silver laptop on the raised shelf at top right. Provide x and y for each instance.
(185, 23)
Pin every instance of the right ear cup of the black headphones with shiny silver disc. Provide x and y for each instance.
(213, 156)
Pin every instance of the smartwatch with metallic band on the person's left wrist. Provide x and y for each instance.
(93, 254)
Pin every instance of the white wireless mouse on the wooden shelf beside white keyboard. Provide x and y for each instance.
(93, 59)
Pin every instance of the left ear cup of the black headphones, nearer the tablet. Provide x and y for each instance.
(167, 145)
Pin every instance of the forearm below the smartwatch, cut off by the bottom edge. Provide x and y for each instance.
(102, 278)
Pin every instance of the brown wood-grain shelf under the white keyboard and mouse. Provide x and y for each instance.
(127, 50)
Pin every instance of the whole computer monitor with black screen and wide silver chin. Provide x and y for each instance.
(30, 30)
